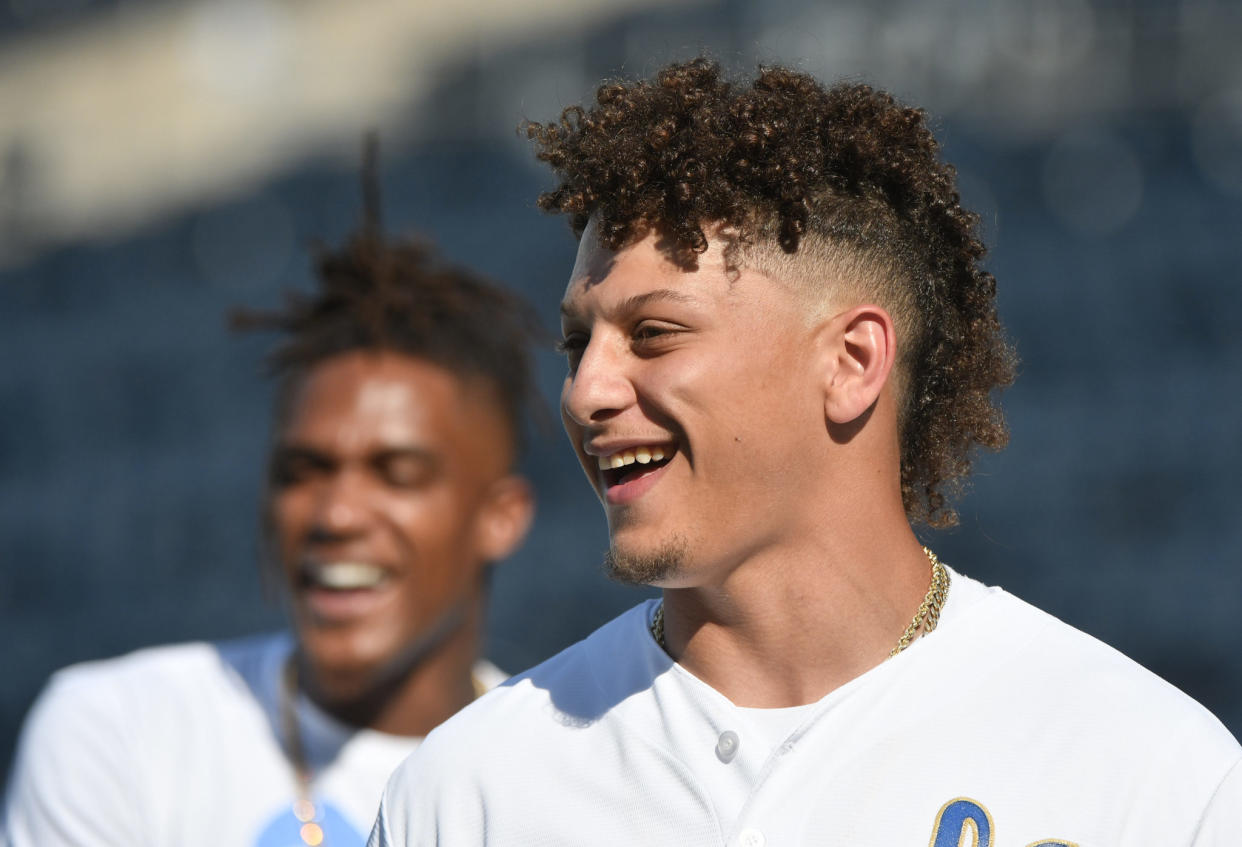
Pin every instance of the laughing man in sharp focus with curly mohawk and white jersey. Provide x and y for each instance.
(782, 350)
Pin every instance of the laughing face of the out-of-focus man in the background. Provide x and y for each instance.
(384, 474)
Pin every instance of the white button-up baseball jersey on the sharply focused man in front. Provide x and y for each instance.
(1003, 728)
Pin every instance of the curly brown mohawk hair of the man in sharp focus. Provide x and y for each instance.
(792, 172)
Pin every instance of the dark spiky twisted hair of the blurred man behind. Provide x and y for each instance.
(376, 294)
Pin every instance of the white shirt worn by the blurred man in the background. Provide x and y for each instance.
(182, 746)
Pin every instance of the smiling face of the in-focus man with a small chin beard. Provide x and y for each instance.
(691, 402)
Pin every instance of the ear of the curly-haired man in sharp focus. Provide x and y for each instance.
(861, 347)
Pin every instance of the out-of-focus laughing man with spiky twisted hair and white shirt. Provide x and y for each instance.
(402, 393)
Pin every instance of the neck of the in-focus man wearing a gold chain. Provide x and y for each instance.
(793, 625)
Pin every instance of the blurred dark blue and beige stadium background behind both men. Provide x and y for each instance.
(163, 162)
